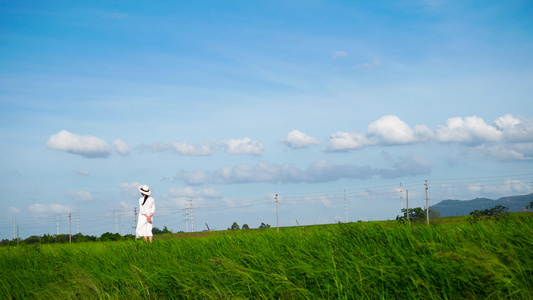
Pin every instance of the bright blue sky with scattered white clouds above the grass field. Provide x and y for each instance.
(227, 104)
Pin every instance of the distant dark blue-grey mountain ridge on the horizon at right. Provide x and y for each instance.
(448, 208)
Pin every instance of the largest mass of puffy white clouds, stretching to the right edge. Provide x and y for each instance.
(501, 140)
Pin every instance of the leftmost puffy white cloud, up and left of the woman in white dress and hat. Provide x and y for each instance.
(87, 146)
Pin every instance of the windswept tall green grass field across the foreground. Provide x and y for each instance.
(366, 260)
